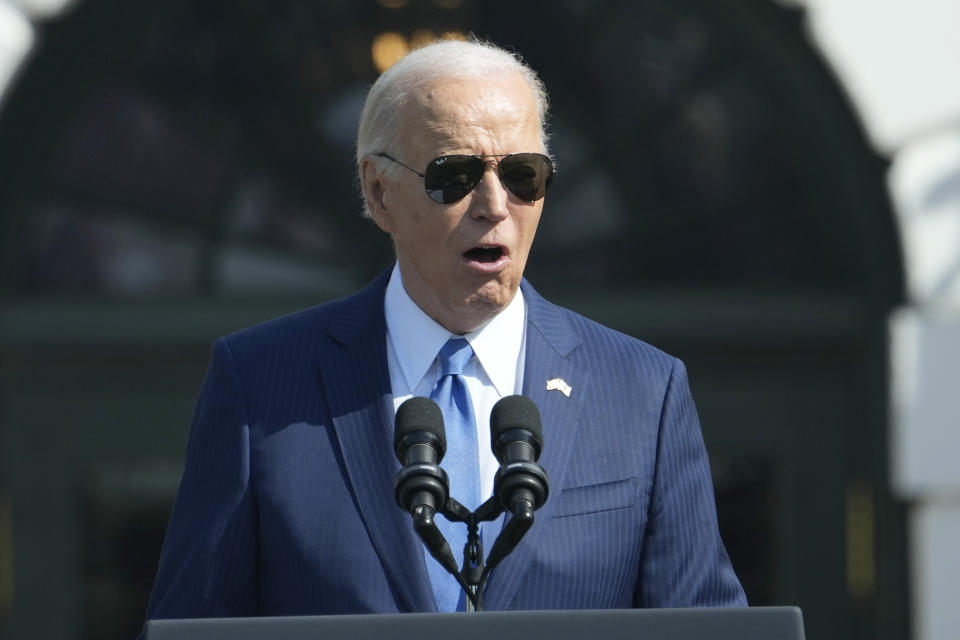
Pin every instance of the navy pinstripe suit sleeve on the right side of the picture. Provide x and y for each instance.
(683, 561)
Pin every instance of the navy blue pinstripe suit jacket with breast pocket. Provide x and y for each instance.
(286, 505)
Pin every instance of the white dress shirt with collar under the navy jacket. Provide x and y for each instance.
(413, 341)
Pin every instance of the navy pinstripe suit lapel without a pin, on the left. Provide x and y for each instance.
(356, 379)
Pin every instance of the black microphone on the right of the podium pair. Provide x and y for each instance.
(516, 437)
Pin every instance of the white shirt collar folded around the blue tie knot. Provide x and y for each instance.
(417, 338)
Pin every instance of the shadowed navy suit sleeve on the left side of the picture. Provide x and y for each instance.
(208, 567)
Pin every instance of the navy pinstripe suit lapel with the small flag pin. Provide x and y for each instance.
(549, 341)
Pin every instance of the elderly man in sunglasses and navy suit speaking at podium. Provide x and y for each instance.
(287, 501)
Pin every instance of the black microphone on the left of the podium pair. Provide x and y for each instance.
(421, 486)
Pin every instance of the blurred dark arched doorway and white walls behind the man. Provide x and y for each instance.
(768, 190)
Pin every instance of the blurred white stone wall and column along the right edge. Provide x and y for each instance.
(899, 60)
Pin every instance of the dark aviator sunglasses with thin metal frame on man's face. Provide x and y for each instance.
(448, 179)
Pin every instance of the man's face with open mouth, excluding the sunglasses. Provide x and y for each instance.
(461, 262)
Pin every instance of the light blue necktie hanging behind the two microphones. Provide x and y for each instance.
(461, 463)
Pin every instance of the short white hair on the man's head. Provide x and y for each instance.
(458, 59)
